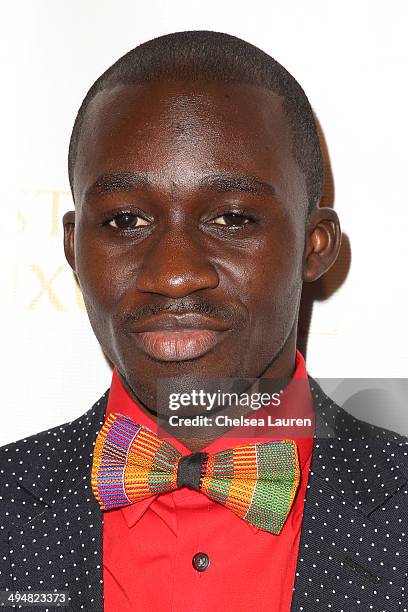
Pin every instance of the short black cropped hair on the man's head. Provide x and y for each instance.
(215, 56)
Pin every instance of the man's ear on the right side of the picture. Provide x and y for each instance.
(323, 239)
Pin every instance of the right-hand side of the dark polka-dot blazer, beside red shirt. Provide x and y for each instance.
(351, 555)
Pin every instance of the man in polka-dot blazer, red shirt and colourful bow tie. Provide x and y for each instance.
(196, 173)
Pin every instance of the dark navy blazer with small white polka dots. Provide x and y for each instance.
(353, 552)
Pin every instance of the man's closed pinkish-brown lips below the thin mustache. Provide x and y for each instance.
(179, 337)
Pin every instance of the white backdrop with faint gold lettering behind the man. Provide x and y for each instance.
(352, 60)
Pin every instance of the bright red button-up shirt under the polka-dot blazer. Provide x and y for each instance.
(148, 546)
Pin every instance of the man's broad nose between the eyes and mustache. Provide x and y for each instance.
(176, 265)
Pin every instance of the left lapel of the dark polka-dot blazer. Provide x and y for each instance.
(57, 543)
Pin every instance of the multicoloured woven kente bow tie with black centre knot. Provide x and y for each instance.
(258, 482)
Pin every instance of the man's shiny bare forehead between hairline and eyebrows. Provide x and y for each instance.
(177, 130)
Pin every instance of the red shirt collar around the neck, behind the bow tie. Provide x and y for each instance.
(296, 402)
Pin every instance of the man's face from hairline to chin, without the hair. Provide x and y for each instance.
(189, 230)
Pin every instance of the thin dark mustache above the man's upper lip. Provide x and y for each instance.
(182, 306)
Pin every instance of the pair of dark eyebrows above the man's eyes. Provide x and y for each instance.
(223, 183)
